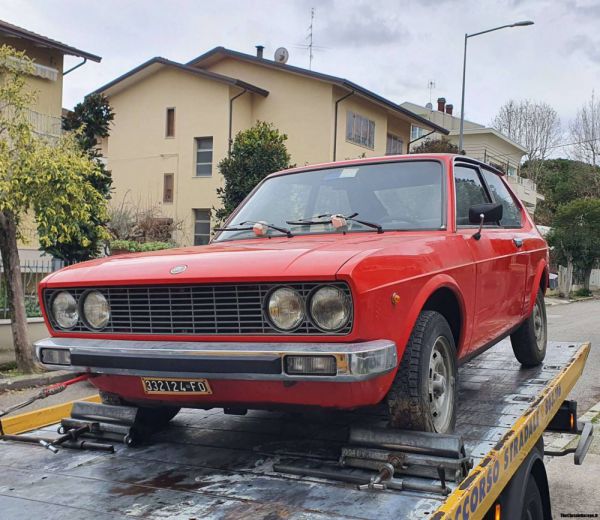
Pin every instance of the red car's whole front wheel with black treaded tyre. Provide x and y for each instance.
(423, 393)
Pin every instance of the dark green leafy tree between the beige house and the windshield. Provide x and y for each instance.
(256, 153)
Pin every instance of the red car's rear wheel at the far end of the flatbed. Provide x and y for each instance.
(530, 339)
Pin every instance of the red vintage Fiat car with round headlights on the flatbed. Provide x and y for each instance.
(341, 285)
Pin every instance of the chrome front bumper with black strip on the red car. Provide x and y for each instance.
(236, 360)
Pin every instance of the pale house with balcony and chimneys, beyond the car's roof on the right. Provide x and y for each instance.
(480, 142)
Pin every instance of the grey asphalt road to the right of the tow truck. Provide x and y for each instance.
(580, 322)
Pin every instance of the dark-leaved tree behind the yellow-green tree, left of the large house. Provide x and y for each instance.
(90, 120)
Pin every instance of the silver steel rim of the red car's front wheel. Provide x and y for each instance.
(441, 385)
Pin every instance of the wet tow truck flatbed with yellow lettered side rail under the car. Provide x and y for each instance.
(210, 465)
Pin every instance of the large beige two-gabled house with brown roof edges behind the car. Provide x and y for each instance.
(174, 123)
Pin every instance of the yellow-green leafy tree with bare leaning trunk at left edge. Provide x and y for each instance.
(51, 180)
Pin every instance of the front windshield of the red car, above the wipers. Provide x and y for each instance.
(397, 195)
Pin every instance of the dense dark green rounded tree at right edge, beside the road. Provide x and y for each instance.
(575, 235)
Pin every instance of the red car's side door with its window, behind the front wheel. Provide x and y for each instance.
(500, 275)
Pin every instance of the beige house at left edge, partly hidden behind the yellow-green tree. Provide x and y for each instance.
(47, 81)
